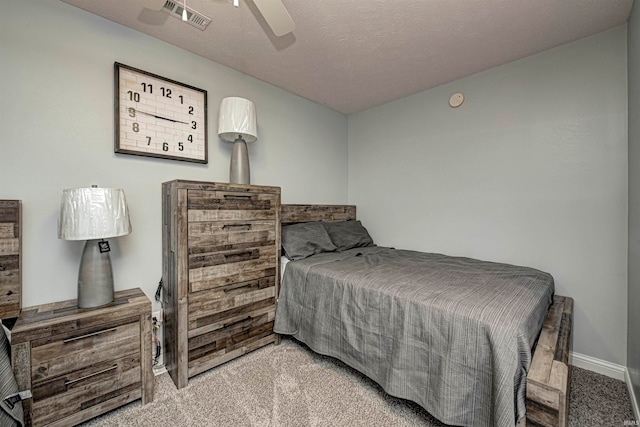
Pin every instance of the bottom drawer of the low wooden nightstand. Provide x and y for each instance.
(112, 380)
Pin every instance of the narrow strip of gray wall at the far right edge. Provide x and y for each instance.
(633, 343)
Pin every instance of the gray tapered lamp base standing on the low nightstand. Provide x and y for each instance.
(95, 278)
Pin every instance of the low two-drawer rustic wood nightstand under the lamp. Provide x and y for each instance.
(79, 363)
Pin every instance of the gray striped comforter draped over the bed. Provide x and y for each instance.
(451, 334)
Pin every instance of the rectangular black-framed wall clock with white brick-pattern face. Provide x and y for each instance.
(159, 117)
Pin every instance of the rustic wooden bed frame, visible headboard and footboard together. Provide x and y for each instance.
(547, 382)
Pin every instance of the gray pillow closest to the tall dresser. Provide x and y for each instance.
(305, 239)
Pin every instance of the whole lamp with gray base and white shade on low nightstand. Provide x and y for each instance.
(94, 214)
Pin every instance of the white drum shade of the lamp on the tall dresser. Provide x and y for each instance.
(237, 119)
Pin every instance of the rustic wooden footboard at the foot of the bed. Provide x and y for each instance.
(549, 377)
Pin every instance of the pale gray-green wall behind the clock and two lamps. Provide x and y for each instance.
(56, 124)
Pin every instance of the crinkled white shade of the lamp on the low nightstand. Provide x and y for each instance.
(93, 213)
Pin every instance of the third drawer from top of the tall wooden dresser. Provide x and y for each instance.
(213, 270)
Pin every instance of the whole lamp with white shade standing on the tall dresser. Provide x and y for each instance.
(237, 123)
